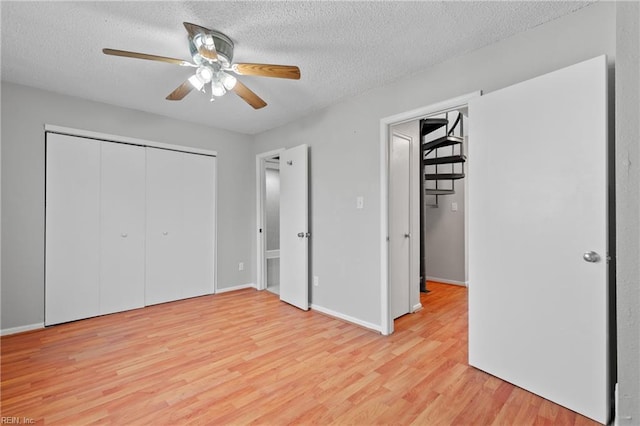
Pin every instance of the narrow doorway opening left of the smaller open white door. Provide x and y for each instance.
(268, 215)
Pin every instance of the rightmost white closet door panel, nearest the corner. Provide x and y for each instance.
(198, 221)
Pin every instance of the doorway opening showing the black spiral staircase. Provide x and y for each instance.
(437, 203)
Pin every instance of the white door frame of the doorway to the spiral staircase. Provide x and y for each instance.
(385, 144)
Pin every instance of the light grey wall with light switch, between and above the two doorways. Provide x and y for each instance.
(344, 146)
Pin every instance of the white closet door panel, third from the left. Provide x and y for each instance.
(164, 260)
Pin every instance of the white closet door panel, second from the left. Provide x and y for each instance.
(122, 231)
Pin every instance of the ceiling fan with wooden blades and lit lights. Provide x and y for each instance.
(212, 55)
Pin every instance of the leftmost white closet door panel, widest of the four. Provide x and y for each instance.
(72, 228)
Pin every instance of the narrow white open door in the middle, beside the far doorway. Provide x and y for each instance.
(294, 227)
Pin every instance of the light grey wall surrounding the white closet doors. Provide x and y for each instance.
(24, 113)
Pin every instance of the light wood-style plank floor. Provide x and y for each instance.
(245, 357)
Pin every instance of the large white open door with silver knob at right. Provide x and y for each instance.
(538, 313)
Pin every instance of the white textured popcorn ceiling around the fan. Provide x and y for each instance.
(342, 48)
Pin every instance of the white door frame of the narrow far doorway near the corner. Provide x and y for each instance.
(261, 161)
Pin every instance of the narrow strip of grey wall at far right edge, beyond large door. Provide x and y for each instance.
(627, 161)
